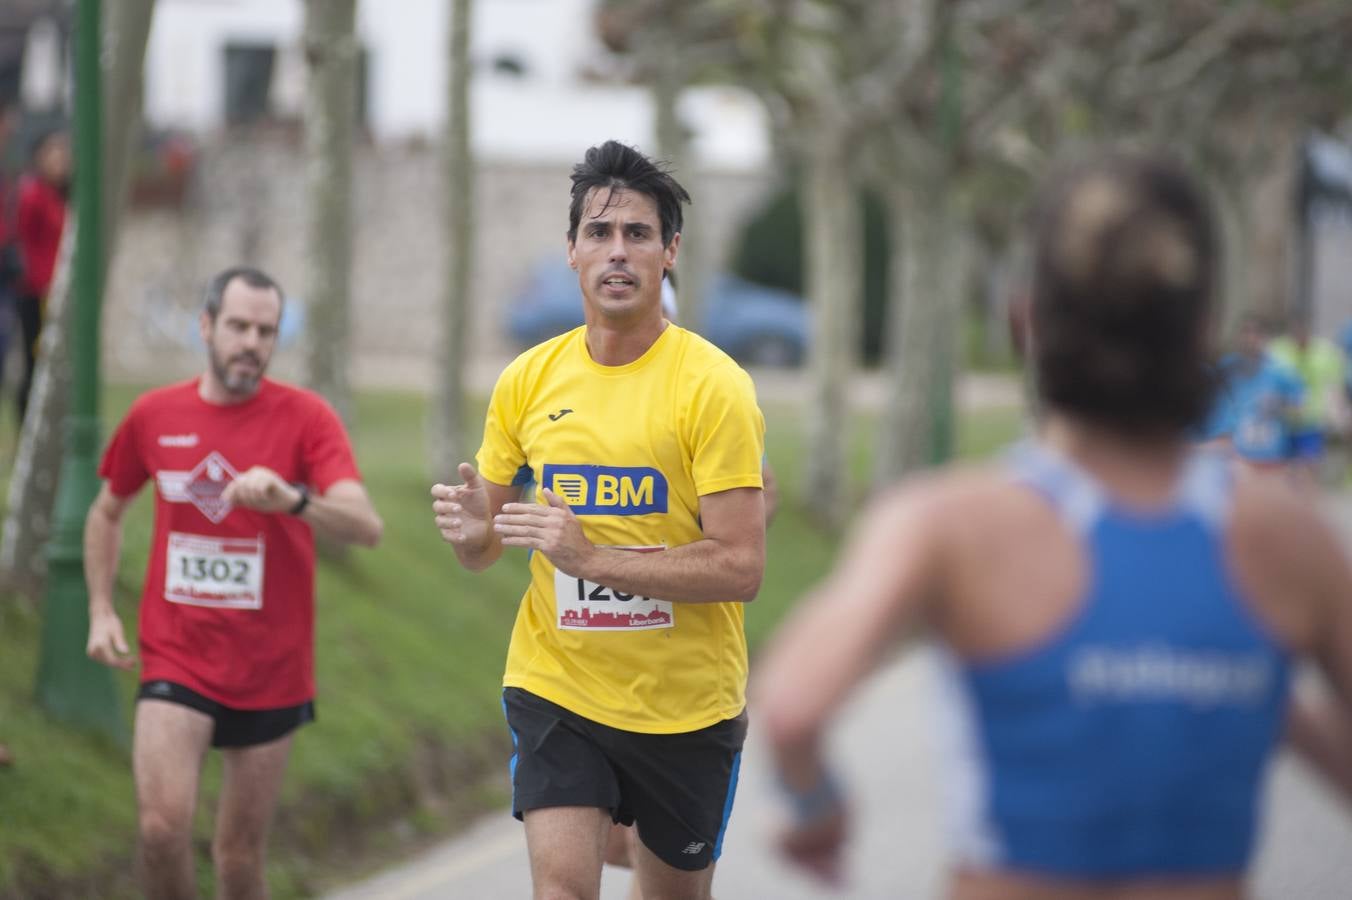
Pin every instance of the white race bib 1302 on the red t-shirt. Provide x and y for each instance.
(214, 572)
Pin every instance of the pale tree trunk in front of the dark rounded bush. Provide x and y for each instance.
(834, 237)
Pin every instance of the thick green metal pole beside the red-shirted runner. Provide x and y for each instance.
(72, 687)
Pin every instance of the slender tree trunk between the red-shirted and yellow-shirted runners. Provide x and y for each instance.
(450, 445)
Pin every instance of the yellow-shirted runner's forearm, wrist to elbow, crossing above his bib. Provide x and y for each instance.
(702, 572)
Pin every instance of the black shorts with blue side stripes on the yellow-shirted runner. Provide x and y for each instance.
(677, 787)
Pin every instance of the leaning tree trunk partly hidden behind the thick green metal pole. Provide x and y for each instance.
(33, 486)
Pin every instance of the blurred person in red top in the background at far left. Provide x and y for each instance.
(40, 218)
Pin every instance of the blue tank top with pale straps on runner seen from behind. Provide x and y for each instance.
(1135, 741)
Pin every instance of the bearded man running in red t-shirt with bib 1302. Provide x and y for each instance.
(244, 470)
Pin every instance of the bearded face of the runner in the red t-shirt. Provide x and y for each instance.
(240, 343)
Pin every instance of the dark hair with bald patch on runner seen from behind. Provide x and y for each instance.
(1124, 270)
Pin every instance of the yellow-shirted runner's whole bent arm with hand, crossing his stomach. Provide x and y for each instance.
(725, 566)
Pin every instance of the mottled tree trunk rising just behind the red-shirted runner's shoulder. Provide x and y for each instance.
(331, 118)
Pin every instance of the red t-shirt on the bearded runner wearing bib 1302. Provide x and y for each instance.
(229, 601)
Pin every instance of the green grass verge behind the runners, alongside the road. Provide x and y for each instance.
(410, 655)
